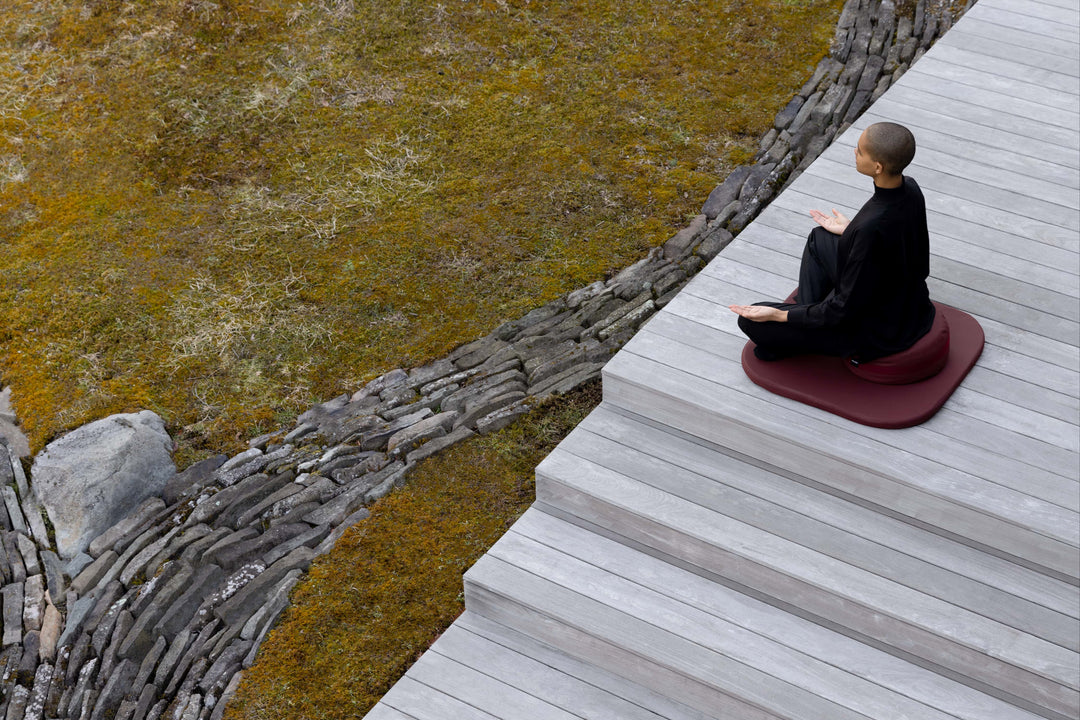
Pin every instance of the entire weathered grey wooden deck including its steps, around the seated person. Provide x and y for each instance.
(704, 549)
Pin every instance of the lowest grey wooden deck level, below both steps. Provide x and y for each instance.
(481, 670)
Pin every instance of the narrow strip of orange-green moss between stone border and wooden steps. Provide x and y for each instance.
(393, 583)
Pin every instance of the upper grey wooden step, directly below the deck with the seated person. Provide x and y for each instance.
(1003, 629)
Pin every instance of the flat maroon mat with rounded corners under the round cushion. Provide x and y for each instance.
(827, 384)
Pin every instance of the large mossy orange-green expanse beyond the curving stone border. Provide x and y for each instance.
(227, 211)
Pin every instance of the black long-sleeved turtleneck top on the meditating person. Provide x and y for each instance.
(882, 296)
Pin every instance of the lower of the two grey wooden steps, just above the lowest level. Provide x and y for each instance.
(715, 649)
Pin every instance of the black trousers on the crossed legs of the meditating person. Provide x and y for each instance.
(819, 274)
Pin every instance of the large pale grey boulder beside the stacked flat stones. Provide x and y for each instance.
(97, 474)
